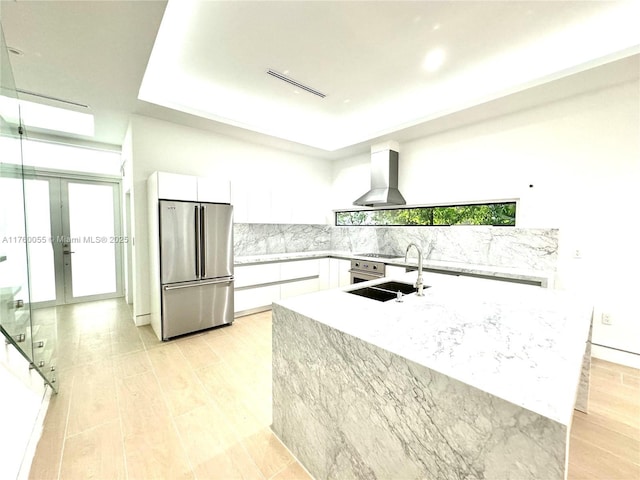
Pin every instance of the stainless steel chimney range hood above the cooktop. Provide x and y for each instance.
(384, 177)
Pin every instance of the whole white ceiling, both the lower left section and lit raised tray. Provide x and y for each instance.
(209, 61)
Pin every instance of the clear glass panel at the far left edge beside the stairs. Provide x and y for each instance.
(35, 339)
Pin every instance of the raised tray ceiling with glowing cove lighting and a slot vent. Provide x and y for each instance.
(210, 59)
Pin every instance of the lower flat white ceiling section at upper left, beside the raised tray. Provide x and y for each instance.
(88, 52)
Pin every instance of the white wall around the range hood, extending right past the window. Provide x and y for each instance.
(582, 155)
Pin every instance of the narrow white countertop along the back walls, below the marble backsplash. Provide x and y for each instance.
(543, 277)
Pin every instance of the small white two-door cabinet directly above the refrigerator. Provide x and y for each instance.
(174, 186)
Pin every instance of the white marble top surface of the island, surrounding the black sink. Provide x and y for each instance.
(522, 343)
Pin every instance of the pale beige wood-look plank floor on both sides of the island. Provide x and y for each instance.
(131, 407)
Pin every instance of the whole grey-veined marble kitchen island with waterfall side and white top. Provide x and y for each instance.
(478, 379)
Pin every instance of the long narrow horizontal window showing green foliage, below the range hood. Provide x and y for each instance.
(503, 214)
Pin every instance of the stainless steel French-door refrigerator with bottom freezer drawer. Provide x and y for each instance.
(196, 266)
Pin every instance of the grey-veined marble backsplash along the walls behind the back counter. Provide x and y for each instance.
(525, 248)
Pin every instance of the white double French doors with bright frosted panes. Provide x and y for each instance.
(75, 241)
